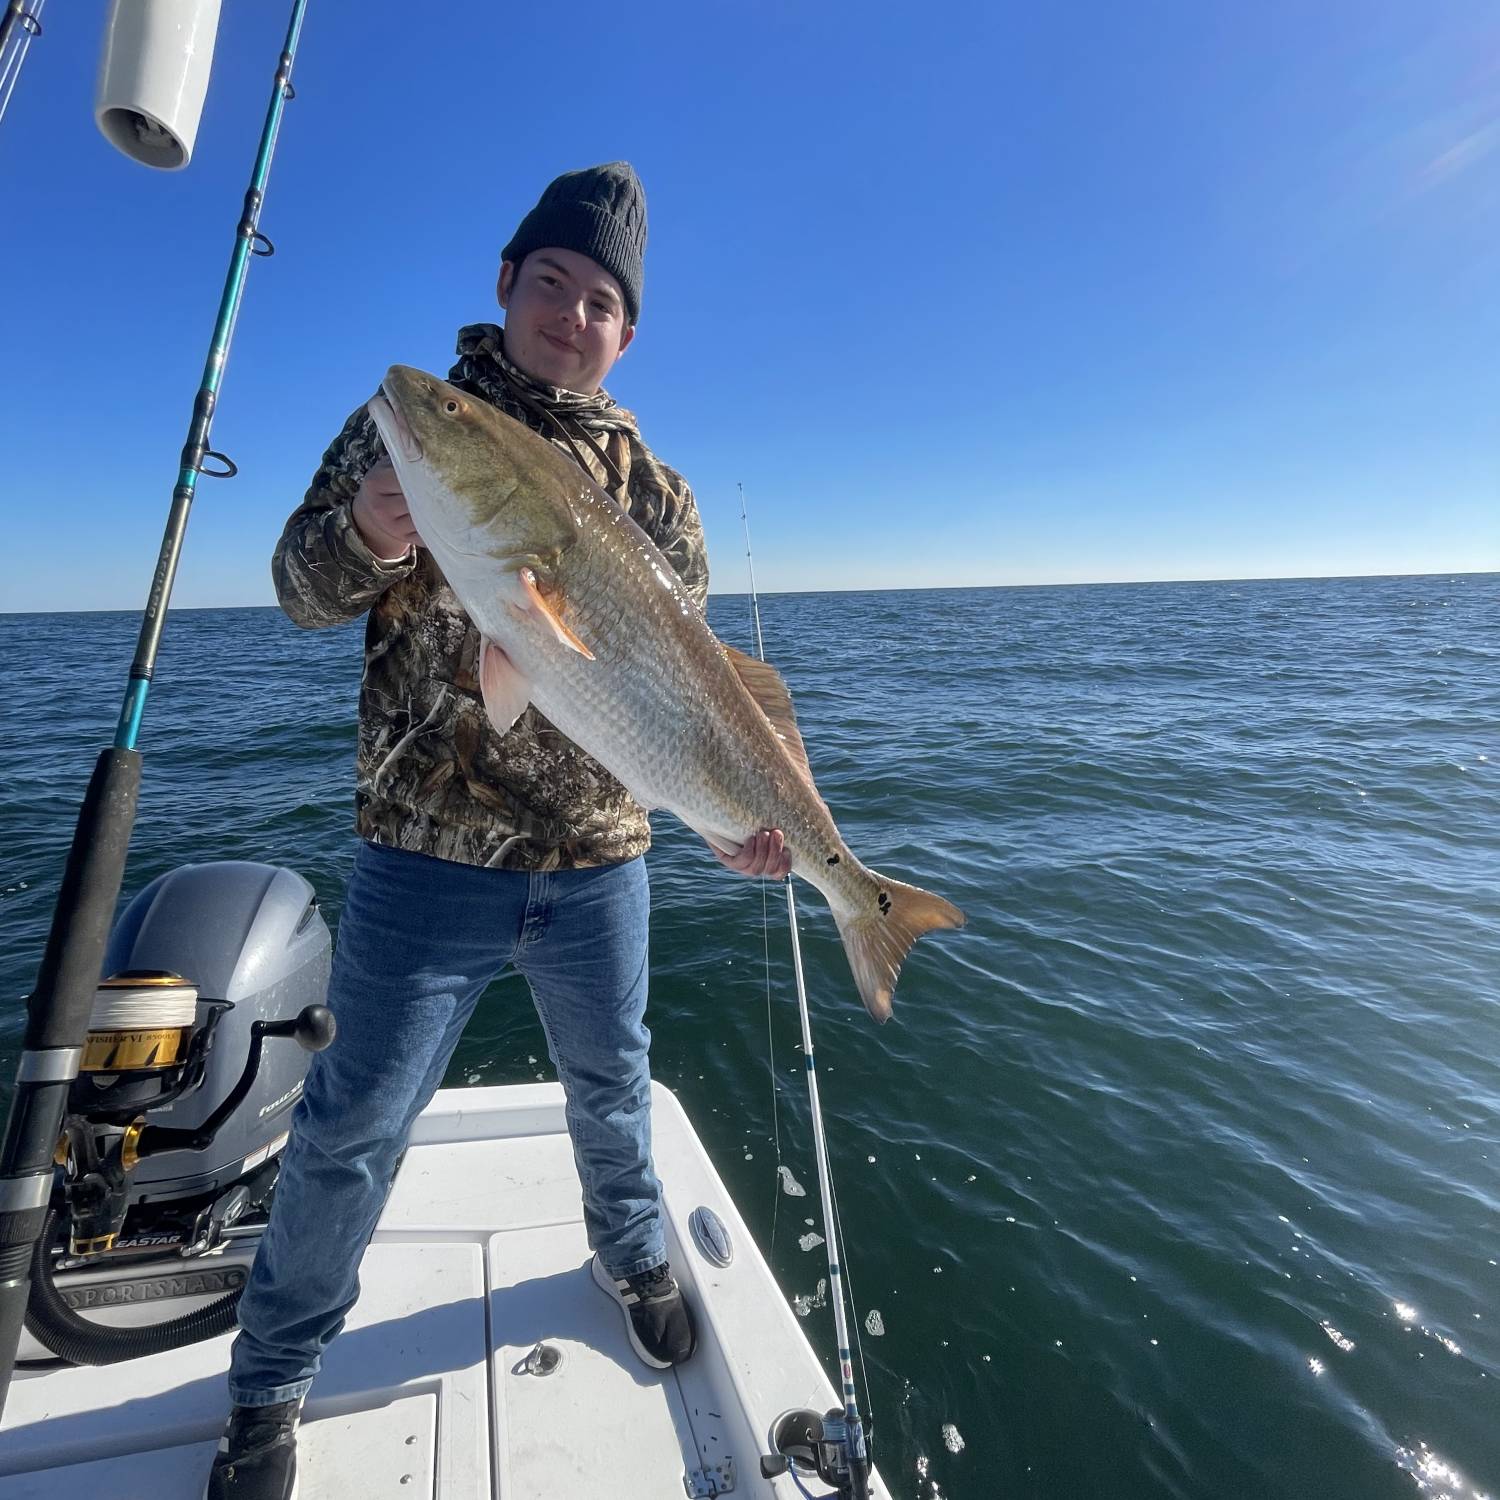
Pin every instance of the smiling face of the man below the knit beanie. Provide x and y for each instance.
(565, 319)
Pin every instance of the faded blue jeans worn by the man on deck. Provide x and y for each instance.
(419, 941)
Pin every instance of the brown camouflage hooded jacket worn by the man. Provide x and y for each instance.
(433, 775)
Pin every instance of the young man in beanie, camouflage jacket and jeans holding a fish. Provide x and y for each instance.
(481, 853)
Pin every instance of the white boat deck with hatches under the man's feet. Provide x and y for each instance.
(481, 1255)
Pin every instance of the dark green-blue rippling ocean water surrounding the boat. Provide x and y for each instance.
(1177, 1172)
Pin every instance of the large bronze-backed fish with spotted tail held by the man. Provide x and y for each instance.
(598, 632)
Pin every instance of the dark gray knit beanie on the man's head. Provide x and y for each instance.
(599, 212)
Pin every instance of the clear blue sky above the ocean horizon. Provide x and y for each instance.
(991, 295)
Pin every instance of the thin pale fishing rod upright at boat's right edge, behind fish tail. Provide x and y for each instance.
(833, 1445)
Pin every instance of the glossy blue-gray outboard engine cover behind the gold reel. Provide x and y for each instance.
(251, 935)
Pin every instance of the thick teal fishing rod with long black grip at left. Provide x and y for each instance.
(61, 1007)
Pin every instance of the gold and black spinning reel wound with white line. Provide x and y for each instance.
(149, 1046)
